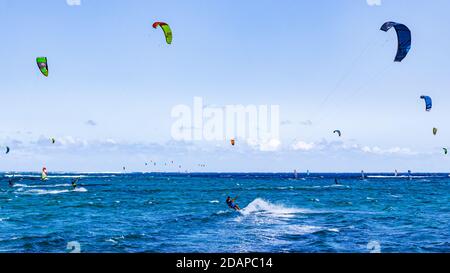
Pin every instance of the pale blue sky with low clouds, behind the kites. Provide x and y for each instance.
(108, 65)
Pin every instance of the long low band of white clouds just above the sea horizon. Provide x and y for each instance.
(74, 145)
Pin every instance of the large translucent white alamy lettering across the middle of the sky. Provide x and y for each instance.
(254, 123)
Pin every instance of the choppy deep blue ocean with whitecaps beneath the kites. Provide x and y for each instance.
(156, 212)
